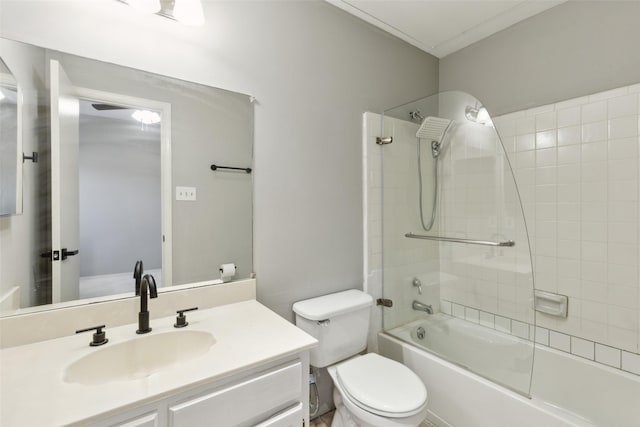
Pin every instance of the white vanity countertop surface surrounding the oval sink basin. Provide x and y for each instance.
(33, 393)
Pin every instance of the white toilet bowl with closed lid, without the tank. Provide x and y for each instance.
(373, 391)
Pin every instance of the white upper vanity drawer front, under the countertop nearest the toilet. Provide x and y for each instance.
(244, 403)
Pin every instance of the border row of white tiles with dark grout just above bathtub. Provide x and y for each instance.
(597, 352)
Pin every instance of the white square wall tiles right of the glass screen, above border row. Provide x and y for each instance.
(581, 195)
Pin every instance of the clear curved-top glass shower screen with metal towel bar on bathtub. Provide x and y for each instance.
(456, 258)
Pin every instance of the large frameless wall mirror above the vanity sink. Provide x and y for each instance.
(124, 174)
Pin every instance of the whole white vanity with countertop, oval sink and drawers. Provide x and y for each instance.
(253, 372)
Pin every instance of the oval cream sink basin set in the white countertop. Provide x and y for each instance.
(138, 357)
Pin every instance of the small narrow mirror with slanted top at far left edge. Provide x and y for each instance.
(10, 142)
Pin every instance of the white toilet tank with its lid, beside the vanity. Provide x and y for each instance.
(340, 323)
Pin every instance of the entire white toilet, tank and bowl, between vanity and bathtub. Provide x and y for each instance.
(369, 390)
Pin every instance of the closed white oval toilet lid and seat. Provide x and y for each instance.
(382, 386)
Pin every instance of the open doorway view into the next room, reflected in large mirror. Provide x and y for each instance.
(108, 181)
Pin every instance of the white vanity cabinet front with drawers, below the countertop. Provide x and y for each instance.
(273, 395)
